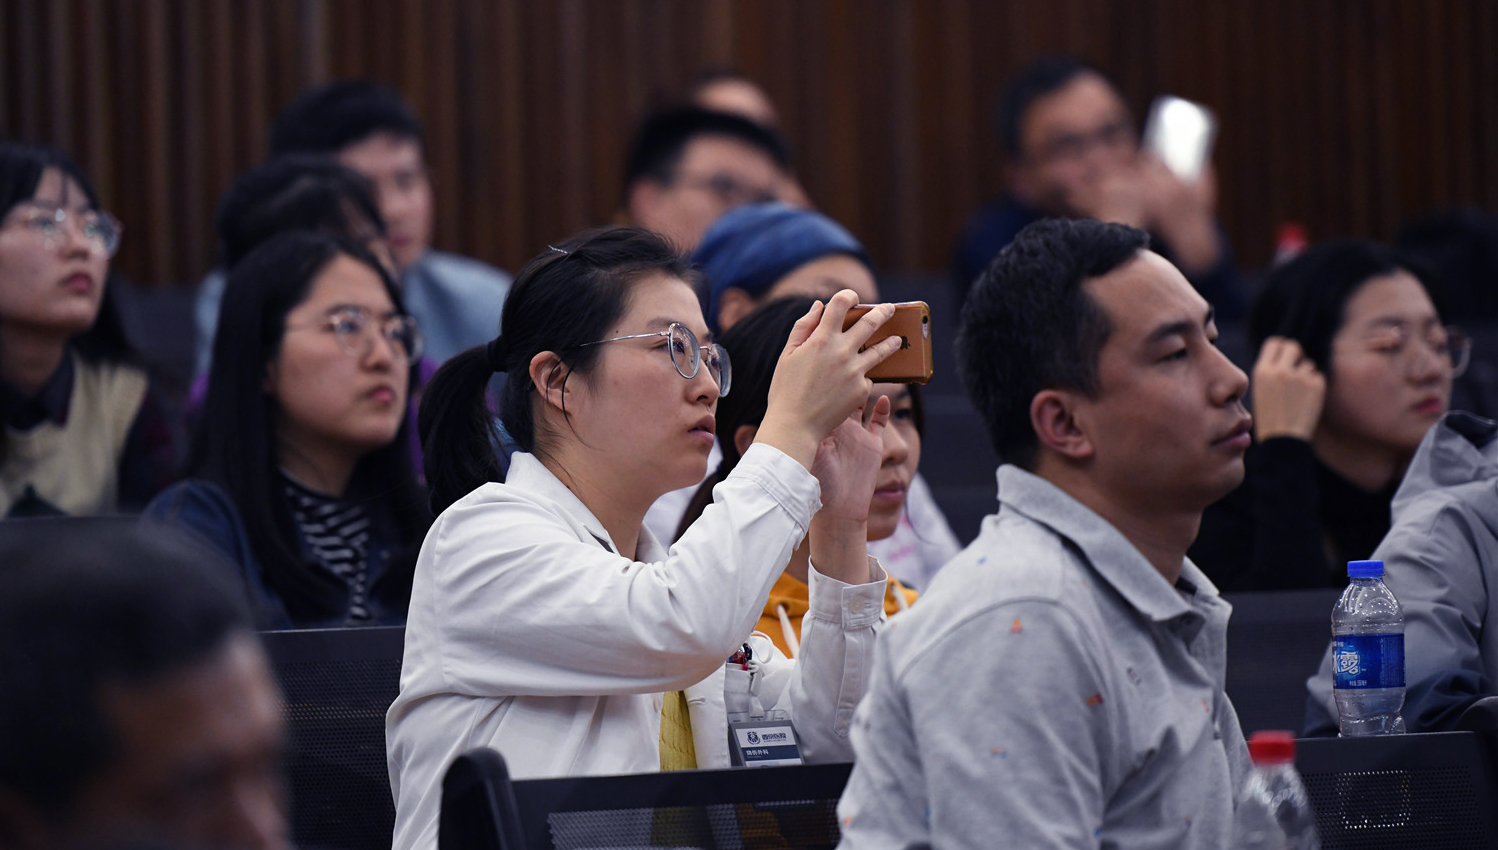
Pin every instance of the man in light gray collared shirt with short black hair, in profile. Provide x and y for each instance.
(1061, 681)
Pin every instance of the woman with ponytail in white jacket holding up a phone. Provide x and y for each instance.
(546, 620)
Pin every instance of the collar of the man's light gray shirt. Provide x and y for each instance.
(1118, 561)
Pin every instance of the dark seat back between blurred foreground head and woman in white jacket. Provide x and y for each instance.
(338, 686)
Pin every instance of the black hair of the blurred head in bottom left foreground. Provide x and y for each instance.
(94, 603)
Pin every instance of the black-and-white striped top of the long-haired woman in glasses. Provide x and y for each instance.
(338, 534)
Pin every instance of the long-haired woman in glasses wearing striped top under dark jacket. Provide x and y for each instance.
(300, 465)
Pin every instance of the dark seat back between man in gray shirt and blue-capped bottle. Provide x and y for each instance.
(1276, 641)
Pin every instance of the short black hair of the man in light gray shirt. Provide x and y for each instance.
(1031, 326)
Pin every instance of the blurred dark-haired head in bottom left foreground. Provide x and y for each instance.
(140, 710)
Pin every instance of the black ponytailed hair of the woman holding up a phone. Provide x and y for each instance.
(561, 301)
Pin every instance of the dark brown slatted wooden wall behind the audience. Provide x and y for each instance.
(1350, 116)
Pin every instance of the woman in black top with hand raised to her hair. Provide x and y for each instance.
(1355, 367)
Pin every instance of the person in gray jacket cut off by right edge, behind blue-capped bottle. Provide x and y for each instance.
(1442, 561)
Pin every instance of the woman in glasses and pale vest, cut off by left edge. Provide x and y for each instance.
(83, 428)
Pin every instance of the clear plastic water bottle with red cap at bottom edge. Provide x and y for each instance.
(1276, 810)
